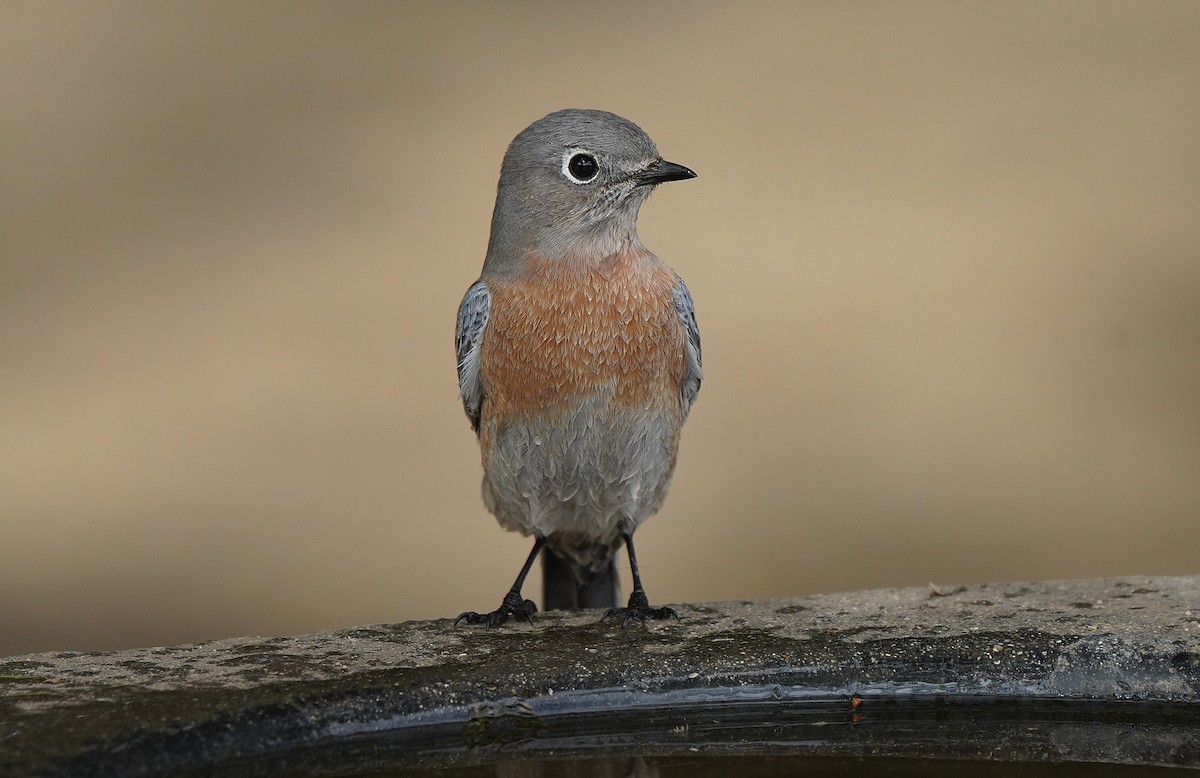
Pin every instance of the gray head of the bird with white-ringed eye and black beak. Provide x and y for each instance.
(573, 182)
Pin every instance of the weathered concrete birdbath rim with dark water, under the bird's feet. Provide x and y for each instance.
(1106, 672)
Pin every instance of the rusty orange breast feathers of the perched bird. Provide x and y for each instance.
(569, 331)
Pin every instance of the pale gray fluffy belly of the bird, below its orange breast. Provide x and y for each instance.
(581, 482)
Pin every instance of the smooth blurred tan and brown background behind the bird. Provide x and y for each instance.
(946, 260)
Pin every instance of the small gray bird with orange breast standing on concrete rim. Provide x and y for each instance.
(579, 360)
